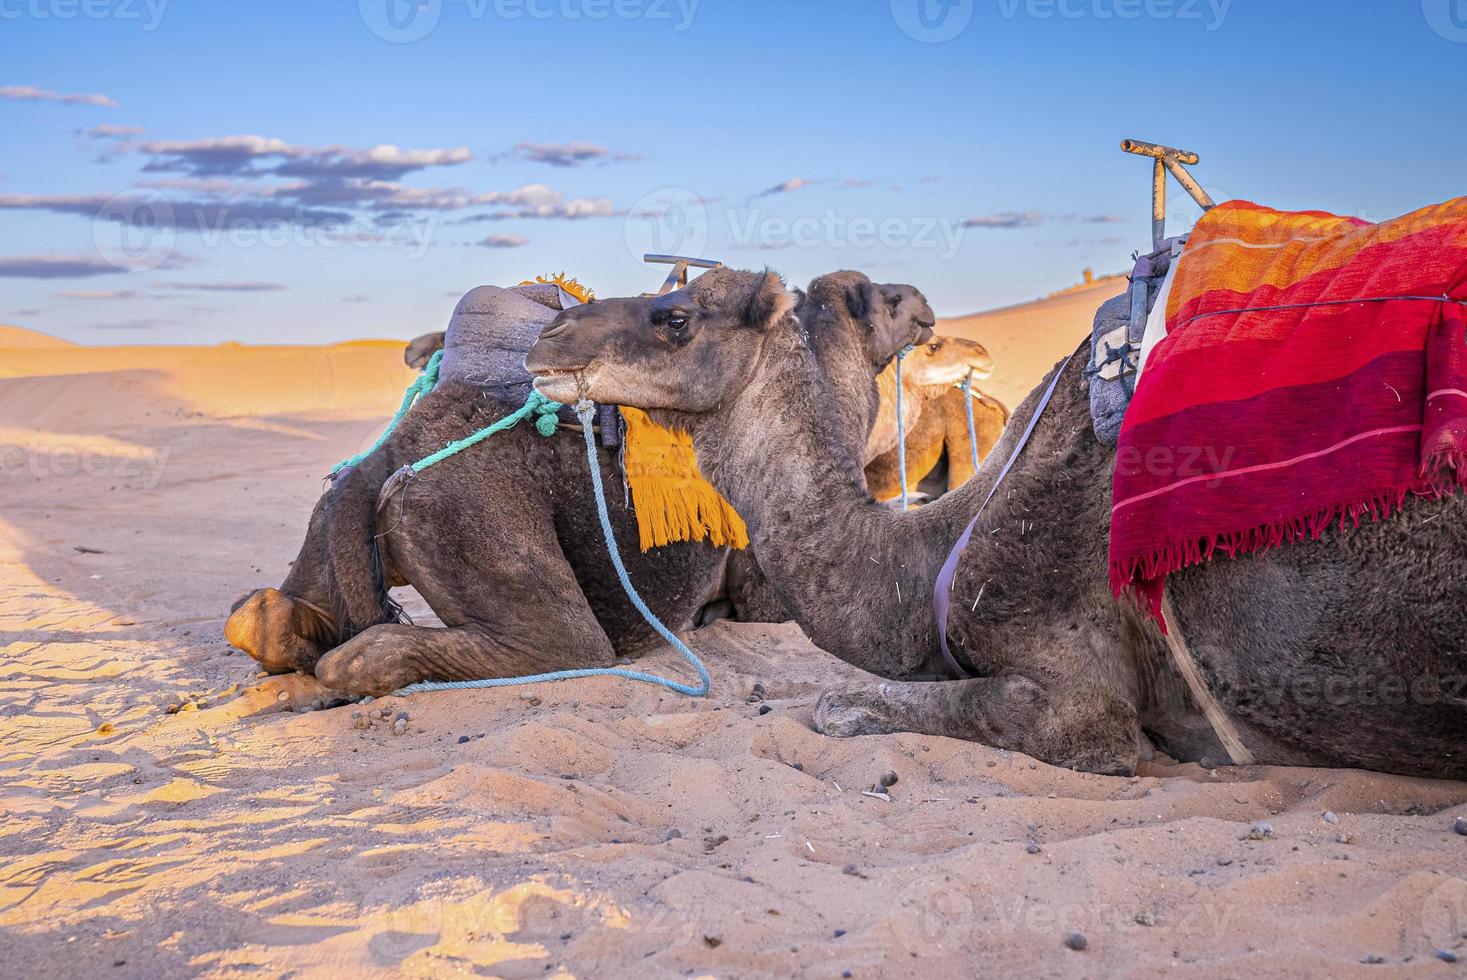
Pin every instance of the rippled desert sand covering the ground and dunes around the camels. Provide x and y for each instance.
(590, 830)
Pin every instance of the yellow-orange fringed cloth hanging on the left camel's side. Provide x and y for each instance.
(673, 500)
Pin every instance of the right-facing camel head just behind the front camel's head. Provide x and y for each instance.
(890, 316)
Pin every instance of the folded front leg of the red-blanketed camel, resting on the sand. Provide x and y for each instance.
(1086, 730)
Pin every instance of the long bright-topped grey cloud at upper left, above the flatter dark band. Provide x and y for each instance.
(265, 156)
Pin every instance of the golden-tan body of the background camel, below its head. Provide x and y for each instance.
(940, 451)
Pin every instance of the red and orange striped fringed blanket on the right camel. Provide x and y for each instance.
(1314, 373)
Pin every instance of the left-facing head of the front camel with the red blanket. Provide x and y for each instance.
(686, 351)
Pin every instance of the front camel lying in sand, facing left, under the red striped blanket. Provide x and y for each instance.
(1343, 652)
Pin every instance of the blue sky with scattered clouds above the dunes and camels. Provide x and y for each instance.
(290, 172)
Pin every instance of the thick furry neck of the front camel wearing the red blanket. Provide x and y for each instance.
(856, 574)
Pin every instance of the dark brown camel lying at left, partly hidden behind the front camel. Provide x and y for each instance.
(504, 542)
